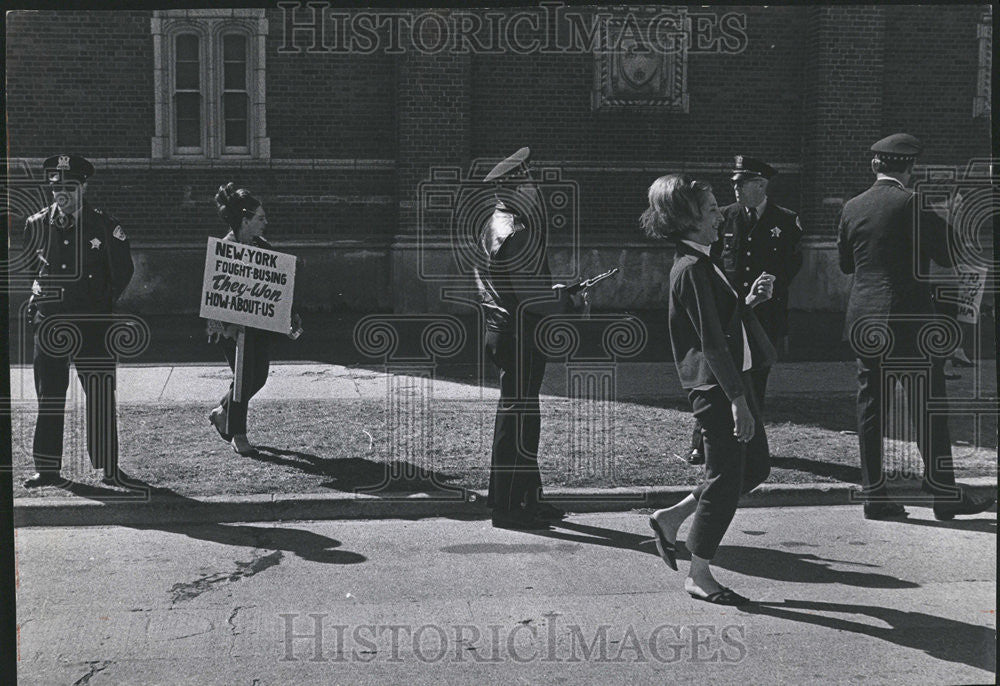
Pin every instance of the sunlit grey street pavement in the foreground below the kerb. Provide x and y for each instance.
(841, 600)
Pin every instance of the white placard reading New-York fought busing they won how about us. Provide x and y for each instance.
(248, 286)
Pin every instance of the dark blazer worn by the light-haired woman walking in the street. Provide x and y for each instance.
(705, 332)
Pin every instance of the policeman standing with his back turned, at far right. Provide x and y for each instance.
(880, 244)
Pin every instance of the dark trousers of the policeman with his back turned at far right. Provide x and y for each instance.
(933, 437)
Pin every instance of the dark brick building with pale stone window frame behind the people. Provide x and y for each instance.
(338, 120)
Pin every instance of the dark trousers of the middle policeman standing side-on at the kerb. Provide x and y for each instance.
(514, 475)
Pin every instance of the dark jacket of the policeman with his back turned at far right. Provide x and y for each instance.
(876, 243)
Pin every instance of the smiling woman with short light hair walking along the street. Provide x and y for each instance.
(716, 342)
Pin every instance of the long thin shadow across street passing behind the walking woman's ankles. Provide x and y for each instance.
(768, 563)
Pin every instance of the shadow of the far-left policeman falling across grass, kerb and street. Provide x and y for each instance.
(304, 544)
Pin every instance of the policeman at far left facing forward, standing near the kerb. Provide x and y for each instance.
(82, 264)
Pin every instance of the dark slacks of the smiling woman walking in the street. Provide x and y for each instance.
(731, 468)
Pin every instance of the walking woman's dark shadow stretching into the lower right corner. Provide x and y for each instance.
(938, 637)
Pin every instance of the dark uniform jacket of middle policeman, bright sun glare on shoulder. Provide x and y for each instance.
(513, 259)
